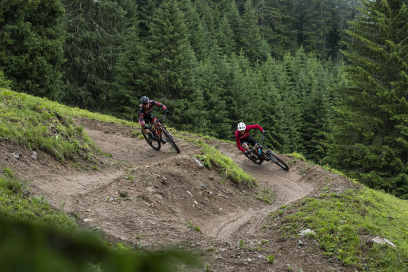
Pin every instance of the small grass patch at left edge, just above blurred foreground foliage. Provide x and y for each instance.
(16, 206)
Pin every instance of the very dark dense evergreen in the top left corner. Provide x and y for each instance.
(31, 42)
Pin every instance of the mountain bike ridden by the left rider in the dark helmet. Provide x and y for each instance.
(157, 133)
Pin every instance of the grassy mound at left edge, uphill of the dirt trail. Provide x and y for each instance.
(37, 123)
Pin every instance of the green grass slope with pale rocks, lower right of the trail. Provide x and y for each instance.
(344, 223)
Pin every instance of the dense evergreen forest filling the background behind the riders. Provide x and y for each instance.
(325, 78)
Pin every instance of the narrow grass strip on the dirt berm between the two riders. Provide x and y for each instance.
(226, 166)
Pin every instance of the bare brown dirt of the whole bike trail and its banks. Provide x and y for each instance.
(148, 199)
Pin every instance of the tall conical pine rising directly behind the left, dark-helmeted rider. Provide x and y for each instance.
(173, 68)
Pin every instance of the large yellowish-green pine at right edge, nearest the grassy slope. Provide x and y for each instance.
(371, 139)
